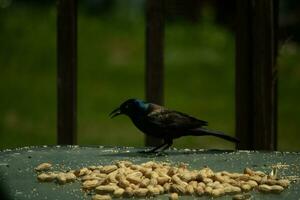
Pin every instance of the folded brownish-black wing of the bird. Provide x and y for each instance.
(174, 120)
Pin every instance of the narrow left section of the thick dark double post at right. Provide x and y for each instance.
(243, 76)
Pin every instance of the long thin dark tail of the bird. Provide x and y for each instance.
(203, 131)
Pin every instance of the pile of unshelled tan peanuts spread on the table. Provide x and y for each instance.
(152, 178)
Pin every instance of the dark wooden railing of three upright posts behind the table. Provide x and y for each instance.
(256, 72)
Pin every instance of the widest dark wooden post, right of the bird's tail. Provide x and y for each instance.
(256, 74)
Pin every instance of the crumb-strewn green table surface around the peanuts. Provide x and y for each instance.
(19, 180)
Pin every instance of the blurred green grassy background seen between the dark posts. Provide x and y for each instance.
(199, 74)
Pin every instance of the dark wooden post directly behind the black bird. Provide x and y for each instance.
(154, 56)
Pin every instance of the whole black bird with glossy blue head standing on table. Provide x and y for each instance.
(159, 122)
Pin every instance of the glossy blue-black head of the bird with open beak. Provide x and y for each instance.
(131, 108)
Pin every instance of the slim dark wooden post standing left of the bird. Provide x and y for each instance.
(66, 71)
